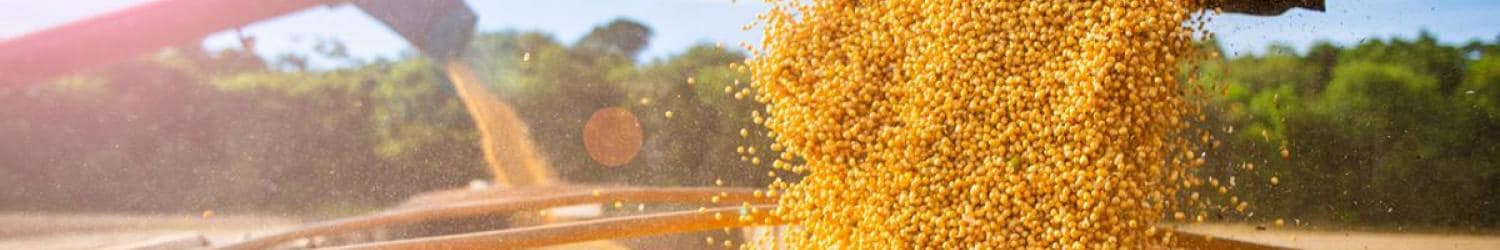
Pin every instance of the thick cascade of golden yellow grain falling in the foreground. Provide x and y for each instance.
(956, 124)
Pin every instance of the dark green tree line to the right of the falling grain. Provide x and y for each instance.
(1381, 132)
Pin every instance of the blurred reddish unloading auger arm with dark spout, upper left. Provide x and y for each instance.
(439, 28)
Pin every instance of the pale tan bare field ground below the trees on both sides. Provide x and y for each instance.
(104, 231)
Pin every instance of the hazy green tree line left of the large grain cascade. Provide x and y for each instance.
(187, 129)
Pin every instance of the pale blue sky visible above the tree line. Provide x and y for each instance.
(683, 23)
